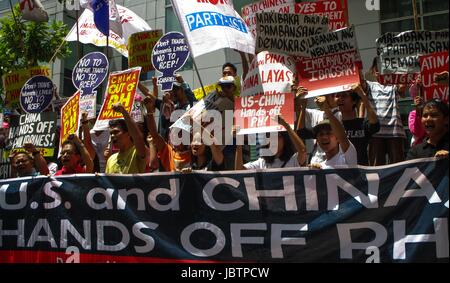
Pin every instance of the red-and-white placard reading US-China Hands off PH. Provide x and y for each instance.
(254, 114)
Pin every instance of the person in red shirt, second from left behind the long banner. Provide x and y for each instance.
(75, 157)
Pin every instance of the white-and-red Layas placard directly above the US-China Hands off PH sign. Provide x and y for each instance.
(269, 73)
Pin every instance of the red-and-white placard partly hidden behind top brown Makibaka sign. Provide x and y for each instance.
(249, 11)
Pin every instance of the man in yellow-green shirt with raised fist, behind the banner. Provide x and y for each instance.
(133, 155)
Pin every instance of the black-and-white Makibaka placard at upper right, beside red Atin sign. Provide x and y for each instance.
(398, 54)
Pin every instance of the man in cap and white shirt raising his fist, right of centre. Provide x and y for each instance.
(333, 140)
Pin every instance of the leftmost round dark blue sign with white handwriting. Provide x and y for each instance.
(36, 95)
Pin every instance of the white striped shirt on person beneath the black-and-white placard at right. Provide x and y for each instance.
(385, 102)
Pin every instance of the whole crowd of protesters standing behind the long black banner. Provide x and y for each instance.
(357, 127)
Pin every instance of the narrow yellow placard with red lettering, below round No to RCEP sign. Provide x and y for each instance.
(70, 117)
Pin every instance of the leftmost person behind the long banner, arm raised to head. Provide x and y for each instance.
(29, 163)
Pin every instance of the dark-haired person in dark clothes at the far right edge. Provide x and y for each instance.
(435, 122)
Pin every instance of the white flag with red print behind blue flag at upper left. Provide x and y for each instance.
(88, 33)
